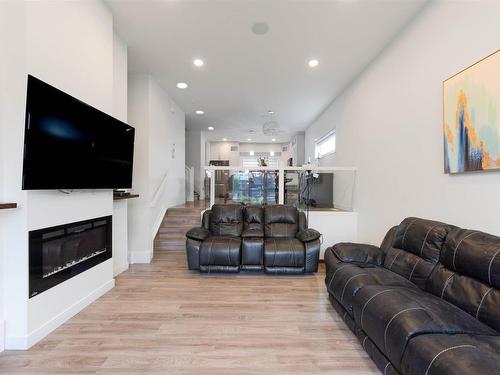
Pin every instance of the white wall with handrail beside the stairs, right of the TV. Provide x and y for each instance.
(159, 152)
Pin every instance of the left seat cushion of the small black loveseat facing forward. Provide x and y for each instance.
(218, 252)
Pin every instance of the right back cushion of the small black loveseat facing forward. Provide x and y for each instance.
(280, 221)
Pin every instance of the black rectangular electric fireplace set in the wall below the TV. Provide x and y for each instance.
(56, 254)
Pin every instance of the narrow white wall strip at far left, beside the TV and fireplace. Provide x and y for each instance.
(14, 222)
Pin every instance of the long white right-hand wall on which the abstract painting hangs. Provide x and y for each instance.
(389, 124)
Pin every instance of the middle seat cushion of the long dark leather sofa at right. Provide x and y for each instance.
(391, 316)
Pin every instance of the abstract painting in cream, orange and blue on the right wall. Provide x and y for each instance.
(471, 123)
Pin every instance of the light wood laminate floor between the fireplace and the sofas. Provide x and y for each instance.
(163, 319)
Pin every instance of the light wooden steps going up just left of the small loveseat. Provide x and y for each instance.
(175, 224)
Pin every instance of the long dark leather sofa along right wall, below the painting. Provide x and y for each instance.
(426, 302)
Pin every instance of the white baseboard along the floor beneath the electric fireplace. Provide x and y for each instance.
(25, 342)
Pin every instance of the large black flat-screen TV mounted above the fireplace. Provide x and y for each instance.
(70, 145)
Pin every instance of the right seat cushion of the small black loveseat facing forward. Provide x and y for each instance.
(284, 252)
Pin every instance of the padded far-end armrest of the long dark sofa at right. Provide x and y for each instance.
(358, 253)
